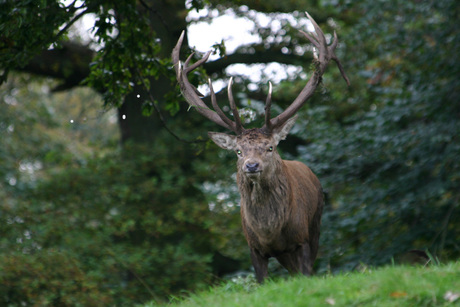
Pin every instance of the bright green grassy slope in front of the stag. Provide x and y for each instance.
(388, 286)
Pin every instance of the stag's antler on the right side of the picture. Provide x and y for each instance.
(326, 53)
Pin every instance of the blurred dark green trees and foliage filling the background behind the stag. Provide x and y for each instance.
(101, 202)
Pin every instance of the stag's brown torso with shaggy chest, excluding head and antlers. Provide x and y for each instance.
(280, 215)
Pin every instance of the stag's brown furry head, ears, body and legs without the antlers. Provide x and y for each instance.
(281, 202)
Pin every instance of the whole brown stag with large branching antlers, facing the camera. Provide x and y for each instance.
(281, 201)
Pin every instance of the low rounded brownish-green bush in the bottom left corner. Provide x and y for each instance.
(47, 278)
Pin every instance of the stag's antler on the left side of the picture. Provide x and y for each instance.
(193, 97)
